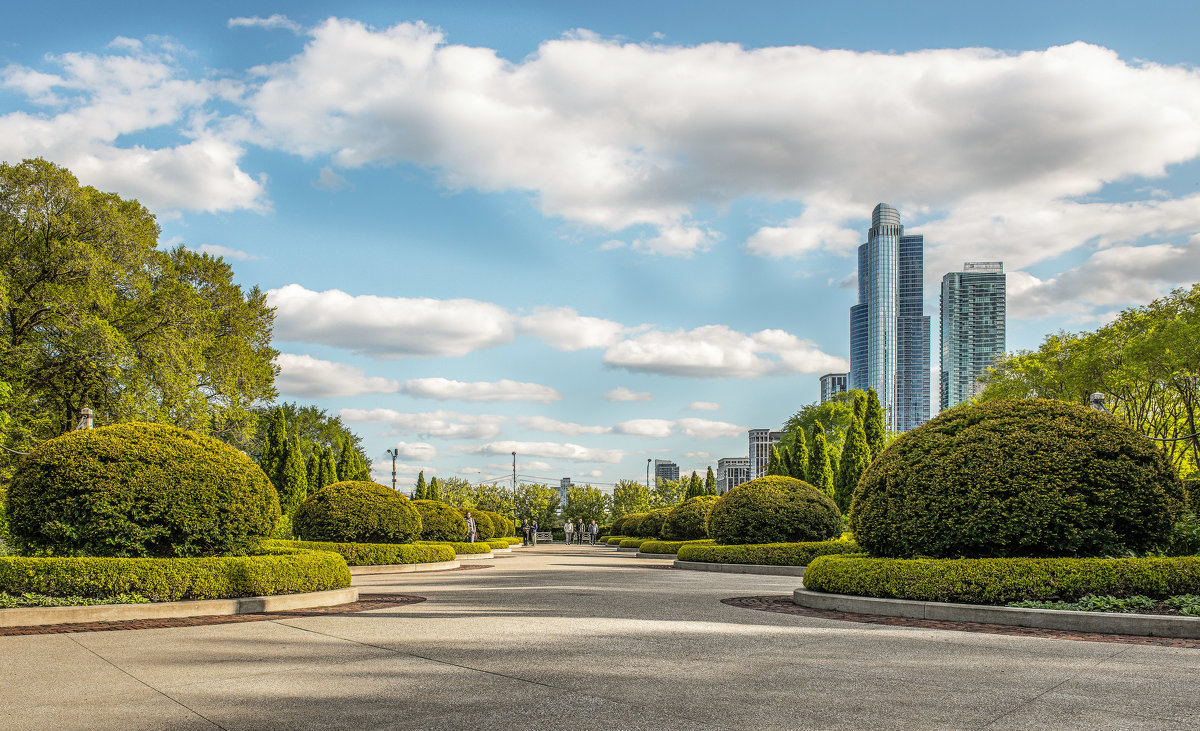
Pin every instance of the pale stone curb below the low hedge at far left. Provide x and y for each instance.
(172, 610)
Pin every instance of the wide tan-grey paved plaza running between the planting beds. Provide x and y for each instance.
(585, 638)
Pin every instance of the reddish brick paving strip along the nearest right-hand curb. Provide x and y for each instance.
(783, 604)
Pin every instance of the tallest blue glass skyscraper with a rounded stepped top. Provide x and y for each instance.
(889, 328)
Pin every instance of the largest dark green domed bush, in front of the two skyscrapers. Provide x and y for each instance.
(1033, 478)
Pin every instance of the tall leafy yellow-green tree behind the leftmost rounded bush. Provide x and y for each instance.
(97, 315)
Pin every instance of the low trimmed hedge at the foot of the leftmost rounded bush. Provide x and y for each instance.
(281, 572)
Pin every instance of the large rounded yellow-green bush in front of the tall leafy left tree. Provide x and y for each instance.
(140, 490)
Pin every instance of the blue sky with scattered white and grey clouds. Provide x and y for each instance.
(602, 235)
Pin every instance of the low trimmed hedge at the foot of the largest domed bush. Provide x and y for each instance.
(1004, 580)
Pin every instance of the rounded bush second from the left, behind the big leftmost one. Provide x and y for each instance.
(359, 513)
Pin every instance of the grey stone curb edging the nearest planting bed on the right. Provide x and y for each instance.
(1156, 626)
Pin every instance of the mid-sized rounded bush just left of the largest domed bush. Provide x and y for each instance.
(775, 510)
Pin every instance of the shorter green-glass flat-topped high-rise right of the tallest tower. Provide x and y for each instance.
(974, 304)
